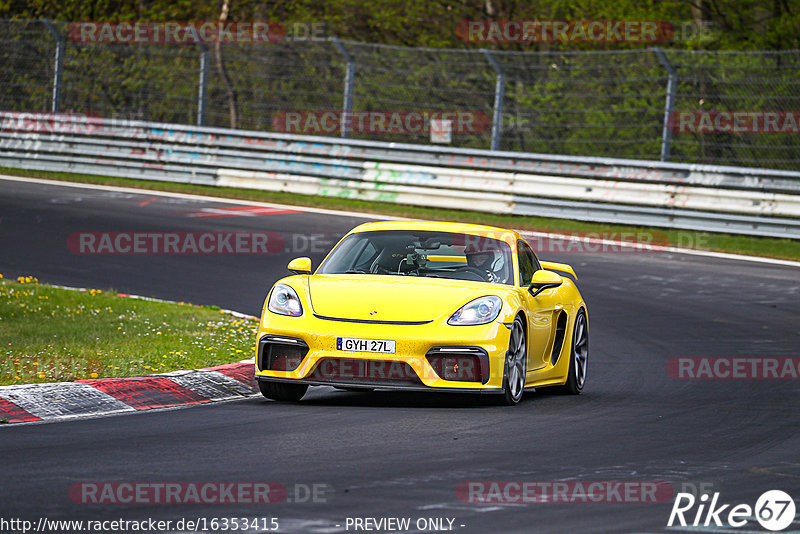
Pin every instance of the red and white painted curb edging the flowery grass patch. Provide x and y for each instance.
(105, 396)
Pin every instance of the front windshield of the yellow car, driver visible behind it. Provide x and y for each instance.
(423, 253)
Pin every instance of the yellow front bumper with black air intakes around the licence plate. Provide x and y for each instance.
(465, 359)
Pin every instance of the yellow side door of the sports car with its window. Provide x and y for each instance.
(541, 310)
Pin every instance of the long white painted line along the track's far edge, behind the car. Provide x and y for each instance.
(342, 213)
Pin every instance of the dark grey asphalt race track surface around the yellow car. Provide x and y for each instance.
(388, 454)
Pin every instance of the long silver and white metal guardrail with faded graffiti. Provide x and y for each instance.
(697, 197)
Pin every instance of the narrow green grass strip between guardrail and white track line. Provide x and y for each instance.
(736, 244)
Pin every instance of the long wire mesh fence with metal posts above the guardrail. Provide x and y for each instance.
(732, 108)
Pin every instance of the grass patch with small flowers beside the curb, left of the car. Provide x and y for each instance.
(51, 334)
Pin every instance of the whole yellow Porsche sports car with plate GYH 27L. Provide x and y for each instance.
(424, 306)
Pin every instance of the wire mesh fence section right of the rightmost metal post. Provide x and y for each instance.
(755, 86)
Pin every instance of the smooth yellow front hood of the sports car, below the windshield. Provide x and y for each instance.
(390, 298)
